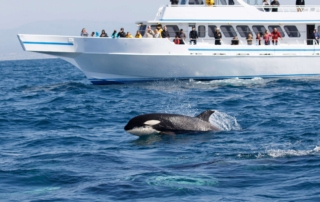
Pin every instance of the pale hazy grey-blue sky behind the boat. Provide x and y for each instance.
(68, 17)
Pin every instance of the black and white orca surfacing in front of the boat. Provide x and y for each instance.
(170, 124)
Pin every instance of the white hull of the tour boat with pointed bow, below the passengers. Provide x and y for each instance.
(106, 61)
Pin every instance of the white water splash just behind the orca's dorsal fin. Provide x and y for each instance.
(224, 121)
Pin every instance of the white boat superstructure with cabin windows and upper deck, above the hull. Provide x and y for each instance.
(237, 18)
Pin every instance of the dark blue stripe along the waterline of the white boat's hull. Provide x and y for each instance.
(124, 81)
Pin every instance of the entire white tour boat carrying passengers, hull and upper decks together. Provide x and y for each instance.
(122, 60)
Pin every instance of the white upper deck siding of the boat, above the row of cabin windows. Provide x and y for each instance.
(239, 14)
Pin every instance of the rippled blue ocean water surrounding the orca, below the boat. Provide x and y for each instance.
(62, 138)
